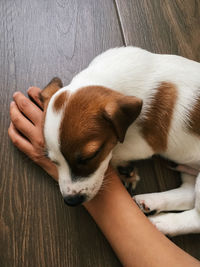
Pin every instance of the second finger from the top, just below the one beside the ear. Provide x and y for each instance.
(28, 108)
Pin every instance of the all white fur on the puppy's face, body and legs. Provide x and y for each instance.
(134, 71)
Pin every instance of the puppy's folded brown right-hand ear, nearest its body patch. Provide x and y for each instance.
(121, 113)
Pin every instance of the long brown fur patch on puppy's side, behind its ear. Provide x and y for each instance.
(156, 123)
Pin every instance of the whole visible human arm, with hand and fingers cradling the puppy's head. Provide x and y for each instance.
(134, 239)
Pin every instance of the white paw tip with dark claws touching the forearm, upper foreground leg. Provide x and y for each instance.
(146, 203)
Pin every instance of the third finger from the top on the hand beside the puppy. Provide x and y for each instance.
(20, 122)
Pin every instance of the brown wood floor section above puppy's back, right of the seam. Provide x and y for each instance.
(162, 26)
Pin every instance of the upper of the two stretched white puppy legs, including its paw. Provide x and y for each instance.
(181, 198)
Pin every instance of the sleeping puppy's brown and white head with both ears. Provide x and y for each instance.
(81, 128)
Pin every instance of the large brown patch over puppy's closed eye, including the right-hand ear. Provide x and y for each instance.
(95, 119)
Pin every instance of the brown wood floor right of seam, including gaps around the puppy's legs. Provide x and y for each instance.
(172, 27)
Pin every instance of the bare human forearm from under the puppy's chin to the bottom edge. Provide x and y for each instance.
(133, 238)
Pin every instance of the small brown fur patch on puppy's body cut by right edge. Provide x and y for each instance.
(194, 118)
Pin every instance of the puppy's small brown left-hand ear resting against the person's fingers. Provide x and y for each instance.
(49, 90)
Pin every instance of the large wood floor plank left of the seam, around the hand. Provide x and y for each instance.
(40, 40)
